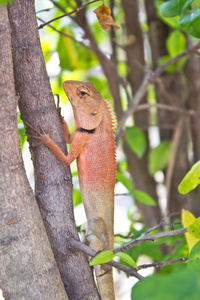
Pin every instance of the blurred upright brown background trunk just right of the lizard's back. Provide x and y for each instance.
(135, 61)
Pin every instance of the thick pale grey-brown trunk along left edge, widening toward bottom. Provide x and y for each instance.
(28, 268)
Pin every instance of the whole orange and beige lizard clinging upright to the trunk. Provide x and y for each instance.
(93, 147)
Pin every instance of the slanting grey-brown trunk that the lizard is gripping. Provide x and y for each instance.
(53, 185)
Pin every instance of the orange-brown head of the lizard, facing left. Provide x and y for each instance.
(86, 101)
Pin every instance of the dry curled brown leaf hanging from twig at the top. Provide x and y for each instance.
(103, 14)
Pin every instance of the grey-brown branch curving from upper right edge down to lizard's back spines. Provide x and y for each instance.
(149, 78)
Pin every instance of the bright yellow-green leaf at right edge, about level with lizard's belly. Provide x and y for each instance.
(191, 180)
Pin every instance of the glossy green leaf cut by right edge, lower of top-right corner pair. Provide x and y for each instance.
(190, 23)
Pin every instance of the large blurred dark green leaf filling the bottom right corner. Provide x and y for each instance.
(182, 285)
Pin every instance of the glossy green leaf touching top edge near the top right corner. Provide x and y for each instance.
(174, 8)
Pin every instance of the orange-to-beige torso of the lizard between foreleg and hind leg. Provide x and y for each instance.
(96, 171)
